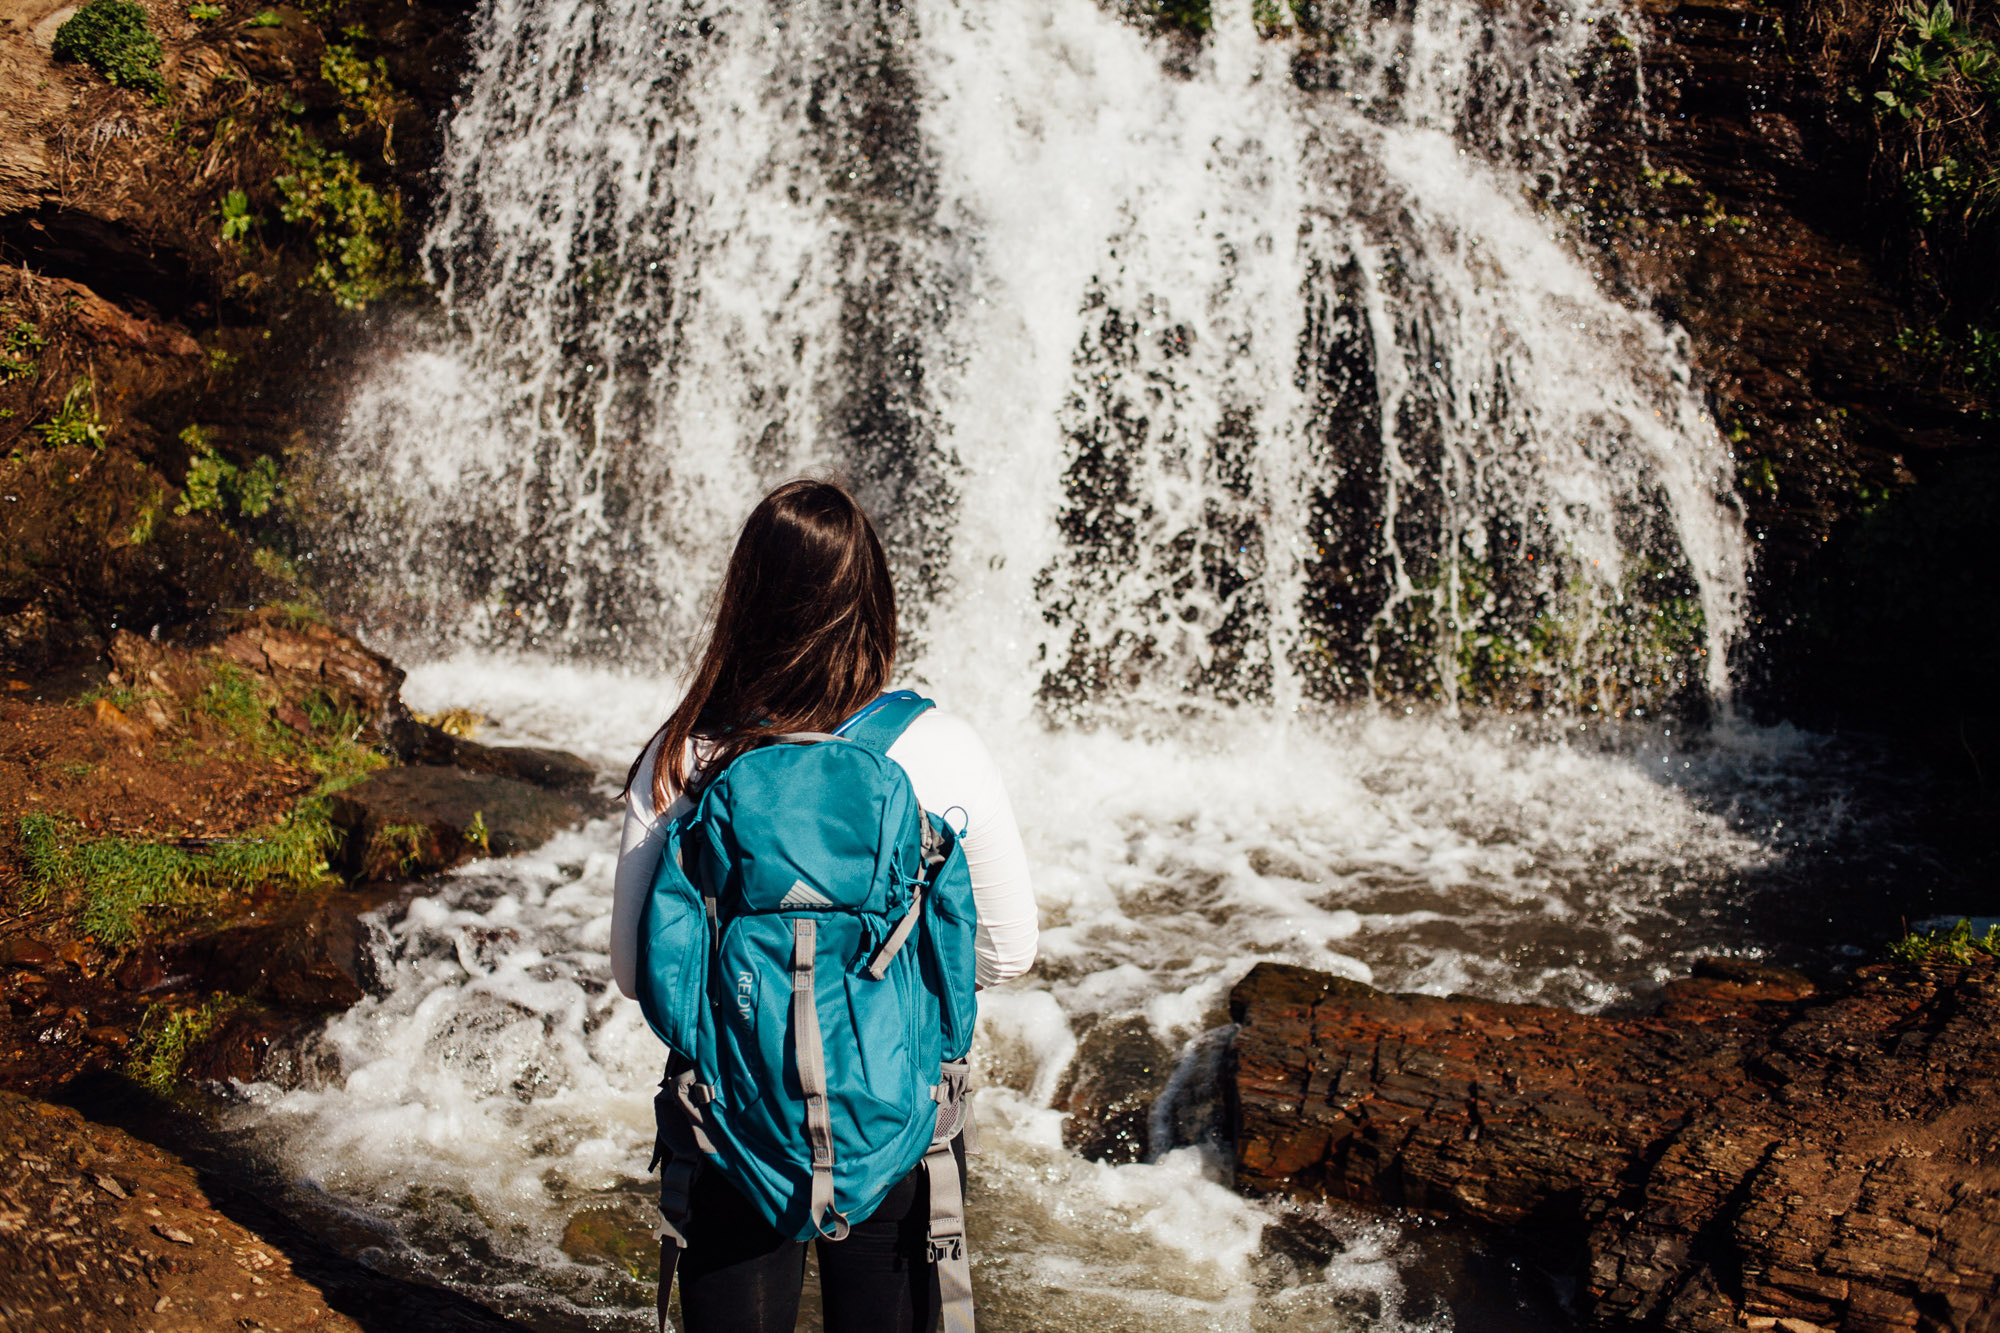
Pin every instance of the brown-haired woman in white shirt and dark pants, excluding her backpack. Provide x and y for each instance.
(805, 635)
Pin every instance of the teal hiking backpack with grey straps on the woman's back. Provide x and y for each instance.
(807, 958)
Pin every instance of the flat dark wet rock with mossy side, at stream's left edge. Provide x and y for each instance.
(425, 820)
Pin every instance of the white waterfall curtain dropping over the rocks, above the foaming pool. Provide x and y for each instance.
(1175, 371)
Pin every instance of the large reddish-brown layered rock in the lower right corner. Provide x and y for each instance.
(1751, 1158)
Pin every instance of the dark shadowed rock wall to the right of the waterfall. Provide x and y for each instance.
(1747, 199)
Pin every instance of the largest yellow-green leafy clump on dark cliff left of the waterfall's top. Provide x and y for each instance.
(353, 225)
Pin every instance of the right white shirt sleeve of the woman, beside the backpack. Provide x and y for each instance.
(957, 780)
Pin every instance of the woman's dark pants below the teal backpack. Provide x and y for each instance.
(741, 1276)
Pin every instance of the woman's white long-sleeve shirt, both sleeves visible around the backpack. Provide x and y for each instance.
(953, 776)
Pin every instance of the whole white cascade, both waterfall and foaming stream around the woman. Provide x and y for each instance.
(1209, 393)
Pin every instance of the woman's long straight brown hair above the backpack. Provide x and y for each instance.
(803, 635)
